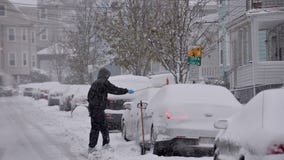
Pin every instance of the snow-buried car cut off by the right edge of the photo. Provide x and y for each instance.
(254, 133)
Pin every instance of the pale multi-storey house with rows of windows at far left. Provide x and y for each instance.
(17, 42)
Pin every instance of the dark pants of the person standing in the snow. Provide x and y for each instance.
(98, 123)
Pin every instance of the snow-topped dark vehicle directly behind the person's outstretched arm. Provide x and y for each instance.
(115, 108)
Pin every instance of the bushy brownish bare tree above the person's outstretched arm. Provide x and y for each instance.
(125, 28)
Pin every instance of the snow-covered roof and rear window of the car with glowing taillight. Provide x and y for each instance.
(194, 93)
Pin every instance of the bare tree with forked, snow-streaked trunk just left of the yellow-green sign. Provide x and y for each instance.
(178, 28)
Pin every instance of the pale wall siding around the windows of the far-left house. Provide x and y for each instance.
(18, 21)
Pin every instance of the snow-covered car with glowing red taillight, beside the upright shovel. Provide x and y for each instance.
(179, 118)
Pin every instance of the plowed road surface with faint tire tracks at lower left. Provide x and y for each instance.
(24, 139)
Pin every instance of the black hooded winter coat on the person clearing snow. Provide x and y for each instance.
(97, 95)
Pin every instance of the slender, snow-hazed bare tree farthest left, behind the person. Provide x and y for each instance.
(83, 40)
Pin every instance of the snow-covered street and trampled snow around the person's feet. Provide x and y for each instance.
(32, 130)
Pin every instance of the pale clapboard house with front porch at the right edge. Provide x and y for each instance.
(255, 45)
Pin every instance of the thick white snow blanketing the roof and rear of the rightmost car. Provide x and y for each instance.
(259, 122)
